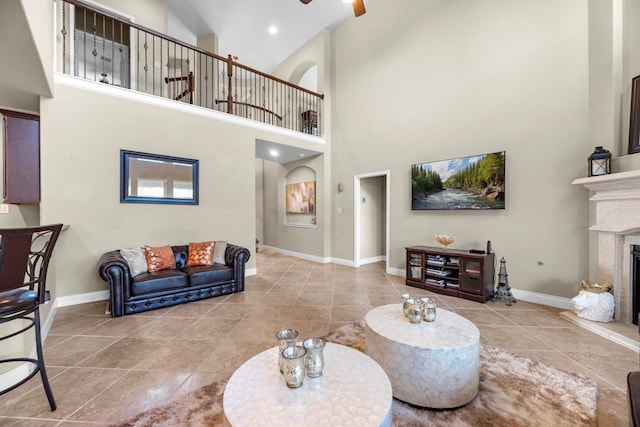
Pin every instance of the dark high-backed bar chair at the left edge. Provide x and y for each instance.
(24, 259)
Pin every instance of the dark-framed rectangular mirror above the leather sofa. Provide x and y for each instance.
(154, 178)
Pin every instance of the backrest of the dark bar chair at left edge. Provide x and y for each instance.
(24, 257)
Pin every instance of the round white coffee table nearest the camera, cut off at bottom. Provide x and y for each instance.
(353, 390)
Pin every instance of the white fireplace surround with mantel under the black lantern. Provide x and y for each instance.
(617, 224)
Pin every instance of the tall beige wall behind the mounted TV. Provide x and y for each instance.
(459, 78)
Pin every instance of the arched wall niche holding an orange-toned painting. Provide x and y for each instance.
(300, 197)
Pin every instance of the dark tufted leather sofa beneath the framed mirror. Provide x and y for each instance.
(149, 291)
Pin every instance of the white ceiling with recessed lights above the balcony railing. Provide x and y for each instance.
(242, 26)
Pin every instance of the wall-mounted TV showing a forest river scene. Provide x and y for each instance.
(473, 182)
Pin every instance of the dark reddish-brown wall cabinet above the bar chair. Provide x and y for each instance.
(21, 155)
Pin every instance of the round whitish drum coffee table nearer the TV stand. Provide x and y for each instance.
(433, 365)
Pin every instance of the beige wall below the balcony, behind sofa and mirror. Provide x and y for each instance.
(82, 132)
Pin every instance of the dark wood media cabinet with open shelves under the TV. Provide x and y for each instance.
(451, 272)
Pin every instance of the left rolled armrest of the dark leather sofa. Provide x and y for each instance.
(113, 268)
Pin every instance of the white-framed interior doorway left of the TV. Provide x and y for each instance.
(371, 217)
